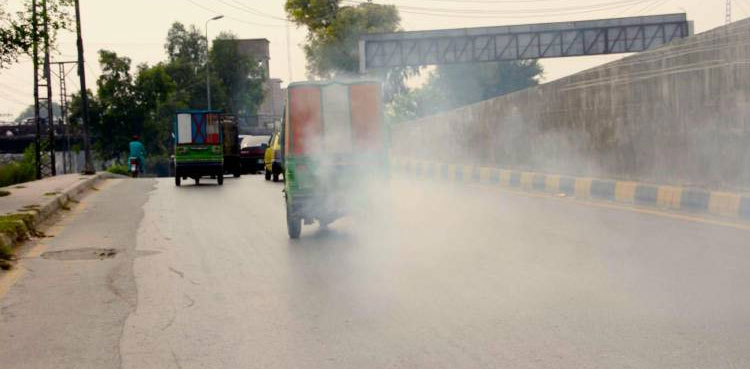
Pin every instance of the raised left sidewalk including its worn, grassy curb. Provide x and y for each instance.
(33, 202)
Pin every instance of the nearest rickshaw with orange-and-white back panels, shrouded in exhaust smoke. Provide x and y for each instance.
(333, 148)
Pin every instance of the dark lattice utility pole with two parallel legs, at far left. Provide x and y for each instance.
(45, 161)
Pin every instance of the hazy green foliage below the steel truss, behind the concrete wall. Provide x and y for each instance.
(453, 86)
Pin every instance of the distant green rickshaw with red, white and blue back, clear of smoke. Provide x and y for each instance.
(198, 146)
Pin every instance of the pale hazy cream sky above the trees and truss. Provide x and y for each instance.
(137, 29)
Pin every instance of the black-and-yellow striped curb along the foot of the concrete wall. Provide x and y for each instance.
(686, 199)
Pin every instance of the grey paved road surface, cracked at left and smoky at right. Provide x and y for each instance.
(438, 277)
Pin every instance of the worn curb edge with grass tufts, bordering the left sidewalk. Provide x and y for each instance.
(18, 225)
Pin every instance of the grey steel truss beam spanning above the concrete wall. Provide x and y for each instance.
(553, 40)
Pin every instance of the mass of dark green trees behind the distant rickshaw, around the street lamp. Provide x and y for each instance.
(143, 102)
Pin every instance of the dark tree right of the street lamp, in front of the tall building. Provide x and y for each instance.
(239, 76)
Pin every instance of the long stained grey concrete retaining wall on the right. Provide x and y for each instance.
(679, 114)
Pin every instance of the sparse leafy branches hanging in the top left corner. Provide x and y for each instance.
(16, 34)
